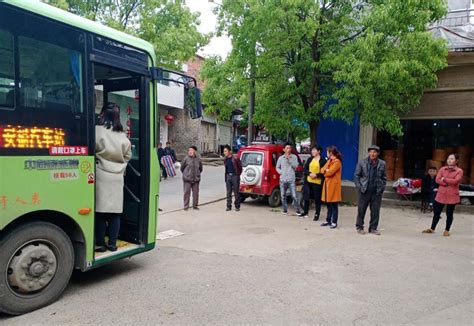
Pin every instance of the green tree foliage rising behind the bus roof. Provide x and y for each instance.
(168, 24)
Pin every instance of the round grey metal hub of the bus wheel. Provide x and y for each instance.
(32, 268)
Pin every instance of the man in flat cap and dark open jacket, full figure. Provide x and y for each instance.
(370, 178)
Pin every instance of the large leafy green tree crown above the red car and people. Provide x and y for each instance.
(327, 59)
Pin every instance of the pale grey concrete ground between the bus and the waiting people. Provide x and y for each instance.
(259, 267)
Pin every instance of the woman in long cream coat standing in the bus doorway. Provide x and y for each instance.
(113, 151)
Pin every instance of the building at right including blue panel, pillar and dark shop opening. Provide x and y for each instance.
(441, 124)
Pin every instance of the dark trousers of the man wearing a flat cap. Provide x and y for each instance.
(374, 200)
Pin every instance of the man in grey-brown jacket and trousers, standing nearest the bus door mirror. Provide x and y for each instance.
(191, 167)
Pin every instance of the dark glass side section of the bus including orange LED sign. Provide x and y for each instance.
(42, 77)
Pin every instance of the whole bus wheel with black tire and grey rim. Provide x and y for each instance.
(36, 263)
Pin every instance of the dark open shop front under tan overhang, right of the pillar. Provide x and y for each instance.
(443, 123)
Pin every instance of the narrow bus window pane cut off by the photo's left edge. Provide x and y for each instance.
(7, 70)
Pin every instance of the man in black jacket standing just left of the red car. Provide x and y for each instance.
(233, 170)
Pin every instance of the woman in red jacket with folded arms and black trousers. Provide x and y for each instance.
(449, 177)
